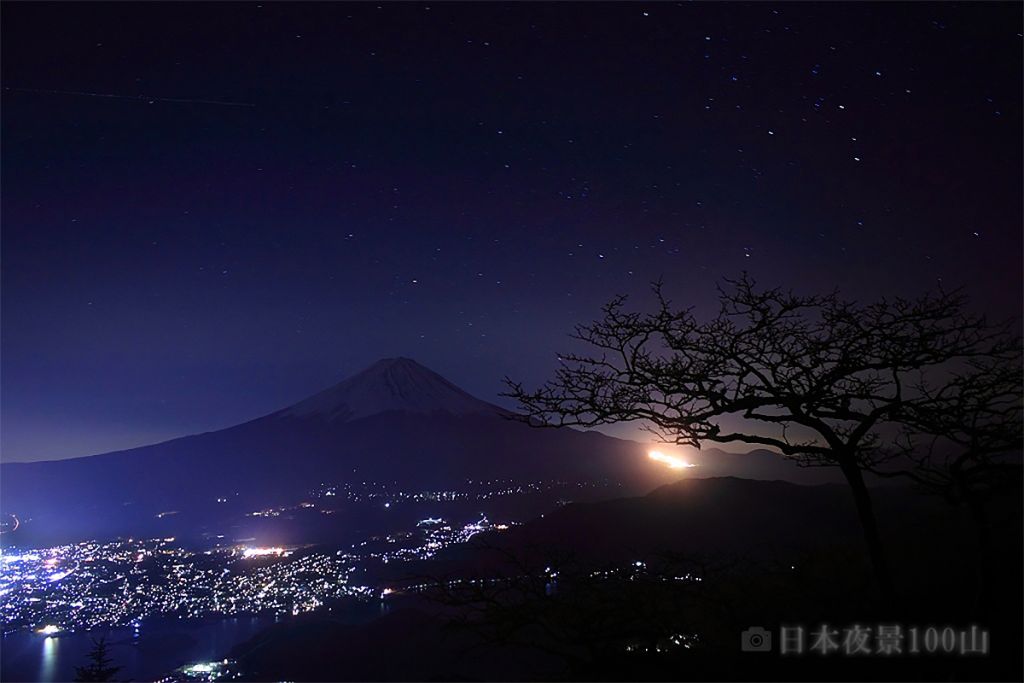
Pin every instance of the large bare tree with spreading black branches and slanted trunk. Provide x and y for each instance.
(821, 379)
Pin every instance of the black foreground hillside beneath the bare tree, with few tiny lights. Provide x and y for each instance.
(661, 587)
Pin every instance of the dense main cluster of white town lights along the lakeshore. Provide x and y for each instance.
(82, 586)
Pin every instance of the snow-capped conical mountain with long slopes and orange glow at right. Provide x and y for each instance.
(397, 423)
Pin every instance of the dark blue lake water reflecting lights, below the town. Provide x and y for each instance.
(157, 649)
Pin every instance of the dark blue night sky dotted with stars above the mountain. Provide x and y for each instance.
(211, 211)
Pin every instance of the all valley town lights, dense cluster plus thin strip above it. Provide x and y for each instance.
(82, 586)
